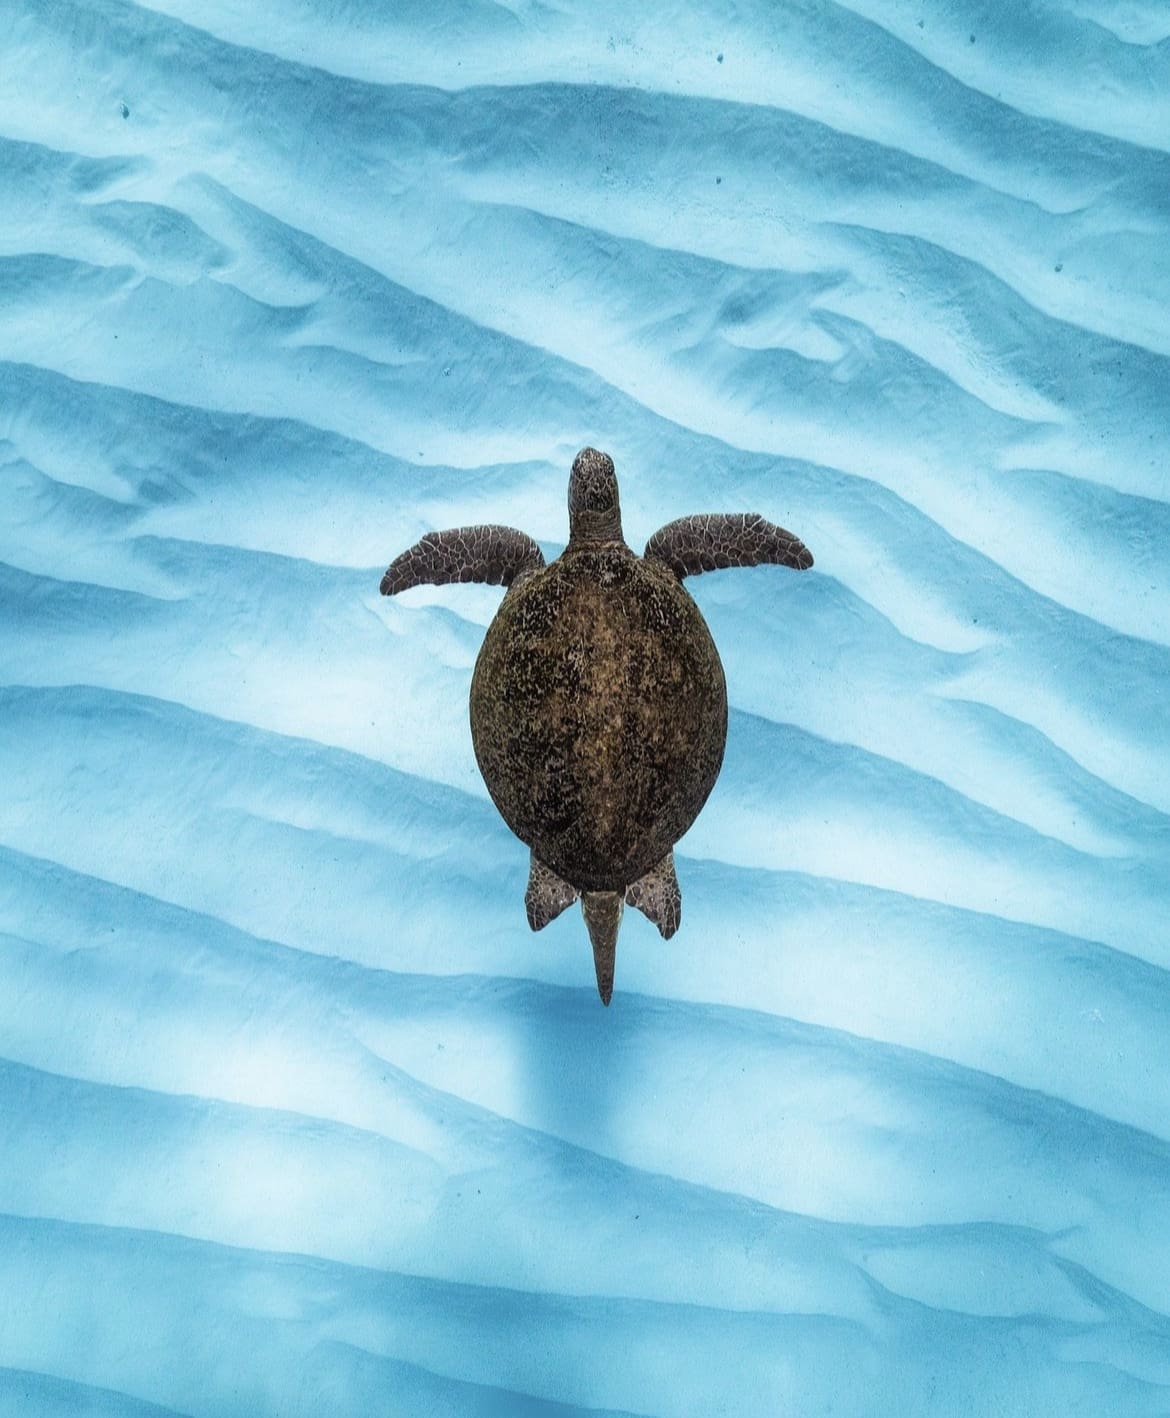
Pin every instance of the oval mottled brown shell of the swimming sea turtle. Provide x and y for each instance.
(599, 714)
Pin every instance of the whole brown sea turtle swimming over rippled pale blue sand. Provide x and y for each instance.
(599, 708)
